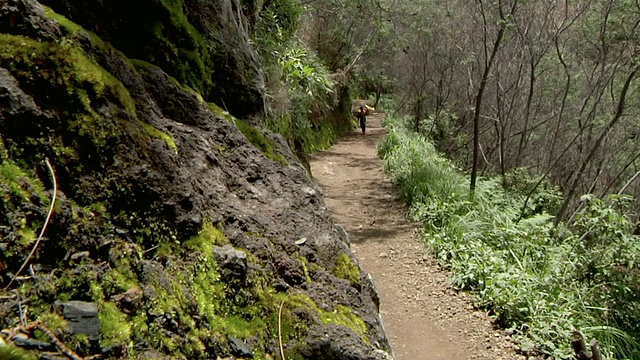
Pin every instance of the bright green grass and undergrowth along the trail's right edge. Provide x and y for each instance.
(534, 282)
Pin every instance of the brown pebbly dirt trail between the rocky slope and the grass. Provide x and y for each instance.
(424, 317)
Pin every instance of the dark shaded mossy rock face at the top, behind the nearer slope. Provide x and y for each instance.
(197, 42)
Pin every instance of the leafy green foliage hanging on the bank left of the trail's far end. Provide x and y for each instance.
(301, 101)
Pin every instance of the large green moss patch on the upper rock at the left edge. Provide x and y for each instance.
(72, 78)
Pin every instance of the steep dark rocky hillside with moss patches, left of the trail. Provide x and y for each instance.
(184, 236)
